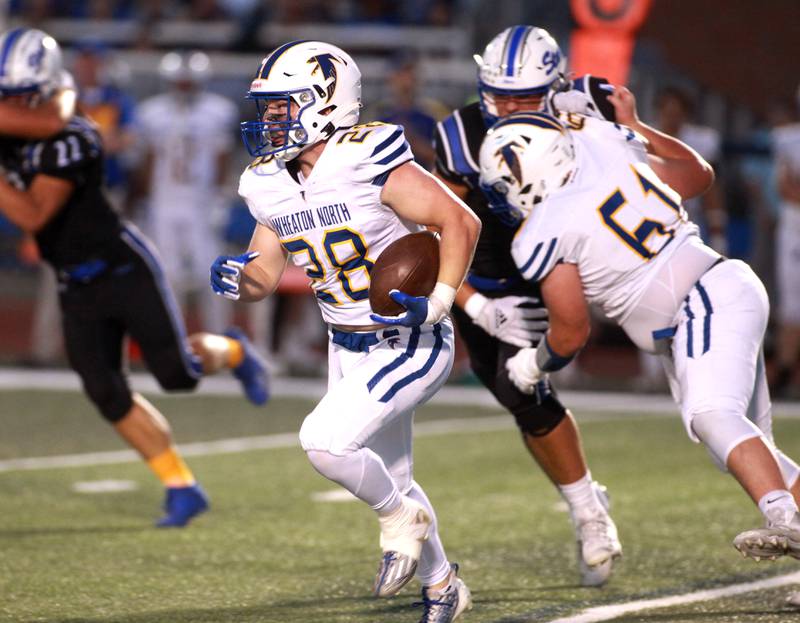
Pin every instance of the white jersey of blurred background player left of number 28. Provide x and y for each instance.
(186, 139)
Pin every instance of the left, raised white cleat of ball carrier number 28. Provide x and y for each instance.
(401, 541)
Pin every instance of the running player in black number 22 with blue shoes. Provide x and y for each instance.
(110, 279)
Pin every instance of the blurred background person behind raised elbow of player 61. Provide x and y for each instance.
(674, 110)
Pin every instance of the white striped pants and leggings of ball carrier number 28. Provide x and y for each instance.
(373, 390)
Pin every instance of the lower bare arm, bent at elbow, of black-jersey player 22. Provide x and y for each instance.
(32, 209)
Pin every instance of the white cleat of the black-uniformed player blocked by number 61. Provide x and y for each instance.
(598, 544)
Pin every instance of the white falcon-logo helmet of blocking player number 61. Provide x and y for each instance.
(524, 157)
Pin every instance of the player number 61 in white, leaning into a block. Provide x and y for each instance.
(604, 224)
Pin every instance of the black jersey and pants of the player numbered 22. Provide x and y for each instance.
(110, 279)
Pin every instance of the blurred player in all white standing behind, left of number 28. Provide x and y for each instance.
(187, 134)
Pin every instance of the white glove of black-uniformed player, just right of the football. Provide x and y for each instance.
(505, 319)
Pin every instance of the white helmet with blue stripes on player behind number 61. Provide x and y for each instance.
(520, 61)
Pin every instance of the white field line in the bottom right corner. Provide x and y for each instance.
(612, 611)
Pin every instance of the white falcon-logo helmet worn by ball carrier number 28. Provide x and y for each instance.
(324, 84)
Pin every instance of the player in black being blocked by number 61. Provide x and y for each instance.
(498, 311)
